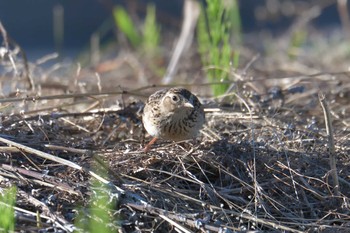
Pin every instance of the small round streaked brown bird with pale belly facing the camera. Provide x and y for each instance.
(172, 114)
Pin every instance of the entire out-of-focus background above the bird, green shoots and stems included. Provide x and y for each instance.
(109, 44)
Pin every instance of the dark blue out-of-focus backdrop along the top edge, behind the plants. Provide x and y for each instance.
(31, 23)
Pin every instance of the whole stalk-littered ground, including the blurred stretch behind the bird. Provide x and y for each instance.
(268, 159)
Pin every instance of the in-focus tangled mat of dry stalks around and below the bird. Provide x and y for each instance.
(267, 170)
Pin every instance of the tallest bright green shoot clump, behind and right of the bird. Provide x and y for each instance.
(217, 23)
